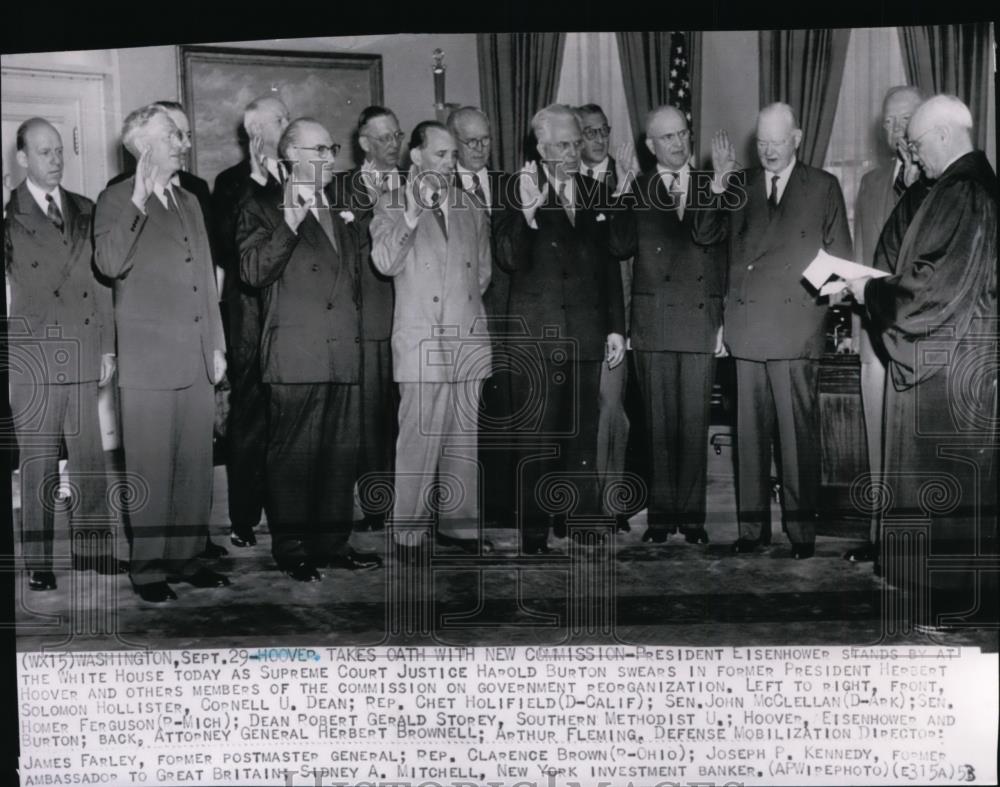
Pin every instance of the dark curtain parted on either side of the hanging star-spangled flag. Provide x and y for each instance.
(646, 67)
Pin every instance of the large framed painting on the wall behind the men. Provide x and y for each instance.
(219, 82)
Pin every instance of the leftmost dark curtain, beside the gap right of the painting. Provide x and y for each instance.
(518, 75)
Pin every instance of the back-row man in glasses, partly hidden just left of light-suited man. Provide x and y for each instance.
(358, 192)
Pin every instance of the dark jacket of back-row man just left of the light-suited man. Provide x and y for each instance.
(349, 193)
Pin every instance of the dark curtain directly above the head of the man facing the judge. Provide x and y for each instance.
(804, 68)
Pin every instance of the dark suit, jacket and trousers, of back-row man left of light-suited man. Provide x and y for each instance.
(379, 395)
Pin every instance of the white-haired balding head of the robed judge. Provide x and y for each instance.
(940, 131)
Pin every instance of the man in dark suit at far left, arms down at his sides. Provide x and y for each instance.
(62, 349)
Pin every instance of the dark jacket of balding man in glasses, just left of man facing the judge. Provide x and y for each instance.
(677, 284)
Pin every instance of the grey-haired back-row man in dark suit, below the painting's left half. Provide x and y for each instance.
(264, 120)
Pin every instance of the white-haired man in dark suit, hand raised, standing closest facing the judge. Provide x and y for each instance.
(775, 220)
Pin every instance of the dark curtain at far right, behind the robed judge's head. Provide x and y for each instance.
(952, 59)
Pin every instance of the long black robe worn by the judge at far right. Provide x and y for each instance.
(937, 315)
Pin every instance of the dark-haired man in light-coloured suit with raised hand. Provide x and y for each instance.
(434, 240)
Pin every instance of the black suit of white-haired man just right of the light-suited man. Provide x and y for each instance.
(566, 287)
